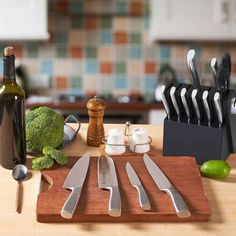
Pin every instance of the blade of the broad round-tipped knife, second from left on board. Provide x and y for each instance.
(106, 172)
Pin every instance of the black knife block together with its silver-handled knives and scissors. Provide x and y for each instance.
(201, 121)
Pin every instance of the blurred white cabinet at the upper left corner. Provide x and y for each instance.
(23, 20)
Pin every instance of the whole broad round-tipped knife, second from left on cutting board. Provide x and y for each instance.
(107, 179)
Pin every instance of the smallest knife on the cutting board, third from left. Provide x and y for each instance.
(134, 180)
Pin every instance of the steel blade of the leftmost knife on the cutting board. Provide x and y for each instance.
(77, 174)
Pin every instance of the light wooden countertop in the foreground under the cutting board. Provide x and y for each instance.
(221, 196)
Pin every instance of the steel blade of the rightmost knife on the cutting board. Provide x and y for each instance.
(158, 176)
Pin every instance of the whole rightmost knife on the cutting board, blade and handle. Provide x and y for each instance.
(164, 184)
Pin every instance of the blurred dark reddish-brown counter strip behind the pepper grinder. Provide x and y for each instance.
(75, 106)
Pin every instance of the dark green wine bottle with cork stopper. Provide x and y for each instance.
(12, 115)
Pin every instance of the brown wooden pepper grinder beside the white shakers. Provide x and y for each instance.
(96, 107)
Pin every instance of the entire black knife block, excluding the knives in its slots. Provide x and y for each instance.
(205, 143)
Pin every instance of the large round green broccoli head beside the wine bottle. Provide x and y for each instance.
(44, 127)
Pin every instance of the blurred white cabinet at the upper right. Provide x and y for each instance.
(208, 20)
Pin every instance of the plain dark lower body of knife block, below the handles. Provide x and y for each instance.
(202, 142)
